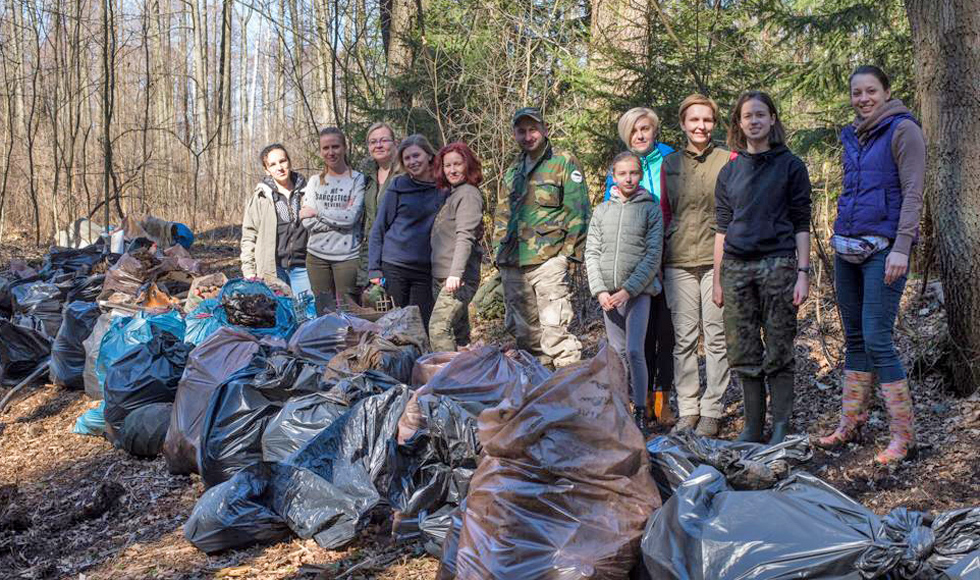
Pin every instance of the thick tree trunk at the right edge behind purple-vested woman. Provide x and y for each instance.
(946, 36)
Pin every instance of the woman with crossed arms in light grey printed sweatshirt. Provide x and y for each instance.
(333, 211)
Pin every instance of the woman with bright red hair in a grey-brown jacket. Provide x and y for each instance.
(456, 251)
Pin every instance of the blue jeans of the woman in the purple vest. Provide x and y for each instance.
(868, 308)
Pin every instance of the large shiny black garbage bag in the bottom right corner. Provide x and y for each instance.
(801, 528)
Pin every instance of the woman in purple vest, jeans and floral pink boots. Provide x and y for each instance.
(877, 221)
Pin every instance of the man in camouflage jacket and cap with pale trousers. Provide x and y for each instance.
(541, 223)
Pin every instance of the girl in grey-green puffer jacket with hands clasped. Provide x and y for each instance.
(622, 257)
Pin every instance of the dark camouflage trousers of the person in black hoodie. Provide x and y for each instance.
(760, 318)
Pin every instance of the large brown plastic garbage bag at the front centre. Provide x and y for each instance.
(564, 488)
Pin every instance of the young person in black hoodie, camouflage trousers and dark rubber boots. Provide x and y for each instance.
(761, 260)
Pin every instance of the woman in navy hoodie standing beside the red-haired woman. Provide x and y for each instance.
(400, 248)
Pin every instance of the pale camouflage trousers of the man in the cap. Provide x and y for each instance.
(538, 305)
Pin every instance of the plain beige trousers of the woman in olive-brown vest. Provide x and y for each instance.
(688, 293)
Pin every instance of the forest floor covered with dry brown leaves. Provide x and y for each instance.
(74, 507)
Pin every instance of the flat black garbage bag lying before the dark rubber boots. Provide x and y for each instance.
(746, 465)
